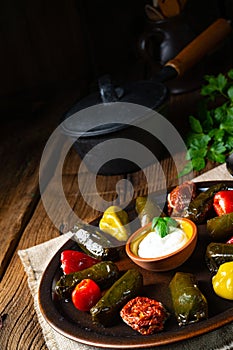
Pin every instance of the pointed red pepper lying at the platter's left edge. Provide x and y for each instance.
(74, 261)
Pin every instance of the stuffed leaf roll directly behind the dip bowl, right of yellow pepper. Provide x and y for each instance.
(147, 210)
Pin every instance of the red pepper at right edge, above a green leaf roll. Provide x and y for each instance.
(223, 202)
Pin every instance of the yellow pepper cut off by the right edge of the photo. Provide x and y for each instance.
(223, 281)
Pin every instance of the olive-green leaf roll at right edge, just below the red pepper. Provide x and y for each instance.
(220, 228)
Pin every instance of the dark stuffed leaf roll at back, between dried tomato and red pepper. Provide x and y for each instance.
(200, 207)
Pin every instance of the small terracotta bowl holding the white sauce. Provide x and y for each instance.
(166, 262)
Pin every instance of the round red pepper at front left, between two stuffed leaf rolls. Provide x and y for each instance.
(86, 294)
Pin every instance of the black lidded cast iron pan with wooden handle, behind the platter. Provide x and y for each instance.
(149, 93)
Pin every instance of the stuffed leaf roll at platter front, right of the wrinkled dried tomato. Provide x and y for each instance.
(189, 304)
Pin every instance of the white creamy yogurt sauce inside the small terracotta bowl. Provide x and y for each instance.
(153, 246)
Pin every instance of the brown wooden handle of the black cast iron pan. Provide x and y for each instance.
(200, 46)
